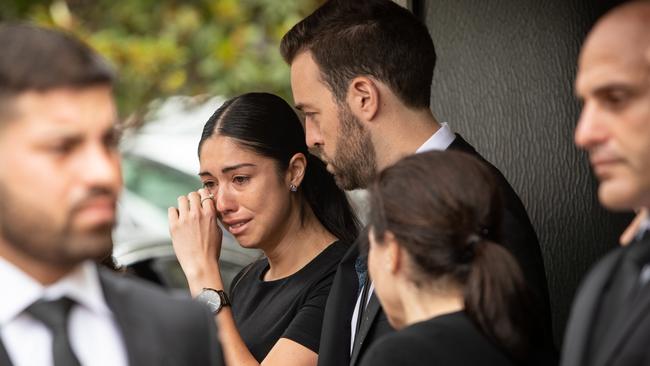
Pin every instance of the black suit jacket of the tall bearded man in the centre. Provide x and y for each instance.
(518, 236)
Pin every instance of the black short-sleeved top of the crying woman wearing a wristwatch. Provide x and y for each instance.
(291, 307)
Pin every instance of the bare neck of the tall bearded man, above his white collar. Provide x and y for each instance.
(402, 133)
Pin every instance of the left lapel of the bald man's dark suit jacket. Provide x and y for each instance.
(584, 309)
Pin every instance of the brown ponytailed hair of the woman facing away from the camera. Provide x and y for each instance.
(444, 209)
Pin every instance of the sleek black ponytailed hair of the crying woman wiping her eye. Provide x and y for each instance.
(267, 125)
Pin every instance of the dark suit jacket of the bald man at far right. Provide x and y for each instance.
(626, 343)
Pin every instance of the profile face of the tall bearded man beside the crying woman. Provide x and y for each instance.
(332, 131)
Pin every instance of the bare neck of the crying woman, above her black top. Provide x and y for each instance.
(297, 246)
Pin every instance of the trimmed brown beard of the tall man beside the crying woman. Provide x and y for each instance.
(355, 160)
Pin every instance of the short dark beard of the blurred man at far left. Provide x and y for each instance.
(31, 232)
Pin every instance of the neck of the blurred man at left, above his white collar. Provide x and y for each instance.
(44, 273)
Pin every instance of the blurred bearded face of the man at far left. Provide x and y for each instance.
(59, 177)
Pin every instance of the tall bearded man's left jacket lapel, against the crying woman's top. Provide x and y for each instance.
(335, 335)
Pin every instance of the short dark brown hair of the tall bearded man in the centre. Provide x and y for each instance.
(375, 38)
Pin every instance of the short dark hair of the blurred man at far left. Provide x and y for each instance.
(35, 58)
